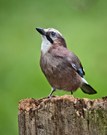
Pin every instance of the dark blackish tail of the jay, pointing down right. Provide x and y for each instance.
(86, 88)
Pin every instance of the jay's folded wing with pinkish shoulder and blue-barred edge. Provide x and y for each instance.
(70, 58)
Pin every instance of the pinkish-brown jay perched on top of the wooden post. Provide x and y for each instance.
(61, 67)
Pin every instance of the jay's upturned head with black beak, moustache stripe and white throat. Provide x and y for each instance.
(50, 37)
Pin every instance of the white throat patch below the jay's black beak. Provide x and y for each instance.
(45, 46)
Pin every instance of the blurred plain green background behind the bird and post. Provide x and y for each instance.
(84, 26)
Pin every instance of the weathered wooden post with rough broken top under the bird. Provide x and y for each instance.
(63, 115)
